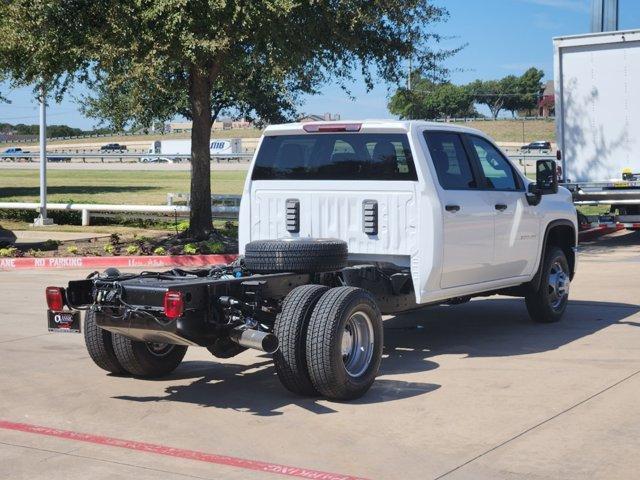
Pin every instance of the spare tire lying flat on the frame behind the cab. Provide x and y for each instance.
(302, 255)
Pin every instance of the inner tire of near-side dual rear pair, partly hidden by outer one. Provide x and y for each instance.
(291, 329)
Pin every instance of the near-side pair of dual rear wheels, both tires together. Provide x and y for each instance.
(330, 341)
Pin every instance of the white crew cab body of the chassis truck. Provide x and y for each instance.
(440, 200)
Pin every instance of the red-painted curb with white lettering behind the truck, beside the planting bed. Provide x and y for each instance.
(9, 264)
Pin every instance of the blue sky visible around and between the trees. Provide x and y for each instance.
(503, 37)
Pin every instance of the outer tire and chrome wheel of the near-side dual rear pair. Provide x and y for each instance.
(336, 374)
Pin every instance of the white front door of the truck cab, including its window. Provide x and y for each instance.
(516, 222)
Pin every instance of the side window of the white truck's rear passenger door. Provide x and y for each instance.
(450, 160)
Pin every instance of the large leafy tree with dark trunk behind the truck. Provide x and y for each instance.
(162, 58)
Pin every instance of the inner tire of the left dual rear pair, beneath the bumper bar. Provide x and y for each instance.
(139, 359)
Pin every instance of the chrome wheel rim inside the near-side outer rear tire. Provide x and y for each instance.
(357, 343)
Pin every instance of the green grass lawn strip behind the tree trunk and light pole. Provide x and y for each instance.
(110, 186)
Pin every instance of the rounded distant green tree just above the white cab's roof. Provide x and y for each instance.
(430, 100)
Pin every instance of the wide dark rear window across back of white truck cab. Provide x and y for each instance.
(322, 156)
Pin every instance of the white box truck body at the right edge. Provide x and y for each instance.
(598, 119)
